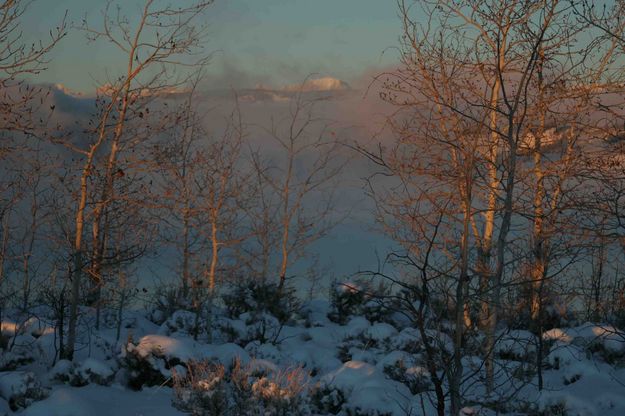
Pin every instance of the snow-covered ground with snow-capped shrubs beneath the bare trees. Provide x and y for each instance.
(357, 367)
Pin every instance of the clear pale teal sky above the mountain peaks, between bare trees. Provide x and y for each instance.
(272, 42)
